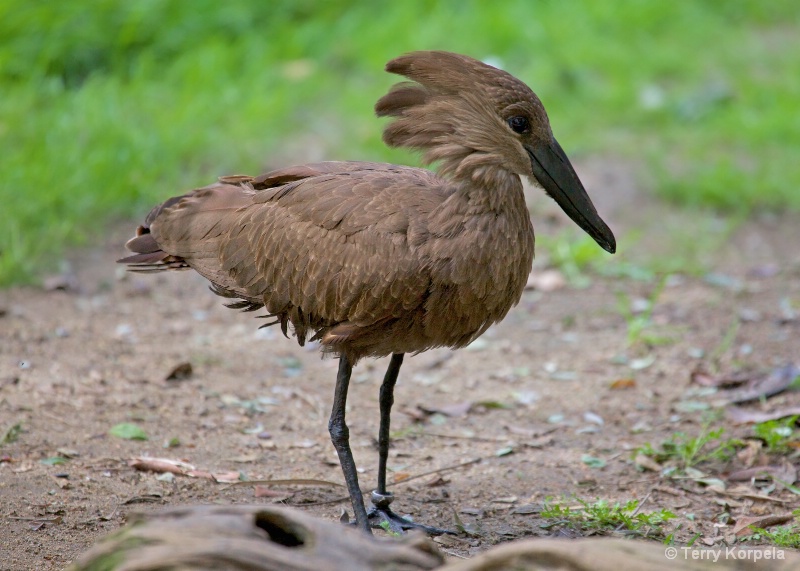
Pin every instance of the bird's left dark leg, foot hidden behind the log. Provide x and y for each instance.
(340, 436)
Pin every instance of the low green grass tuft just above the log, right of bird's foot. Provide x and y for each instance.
(603, 516)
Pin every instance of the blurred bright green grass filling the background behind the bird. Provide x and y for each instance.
(110, 106)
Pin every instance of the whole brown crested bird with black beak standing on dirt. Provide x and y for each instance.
(376, 259)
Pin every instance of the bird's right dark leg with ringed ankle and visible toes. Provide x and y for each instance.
(381, 497)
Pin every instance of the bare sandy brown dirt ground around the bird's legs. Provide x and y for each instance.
(521, 408)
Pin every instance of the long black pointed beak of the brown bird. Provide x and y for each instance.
(552, 169)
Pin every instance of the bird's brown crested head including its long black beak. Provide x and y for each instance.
(478, 121)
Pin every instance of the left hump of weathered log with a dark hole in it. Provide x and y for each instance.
(251, 538)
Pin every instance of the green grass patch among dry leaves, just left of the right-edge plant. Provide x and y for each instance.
(686, 451)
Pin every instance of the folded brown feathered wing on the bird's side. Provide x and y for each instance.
(326, 244)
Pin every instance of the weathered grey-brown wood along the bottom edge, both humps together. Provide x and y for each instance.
(271, 538)
